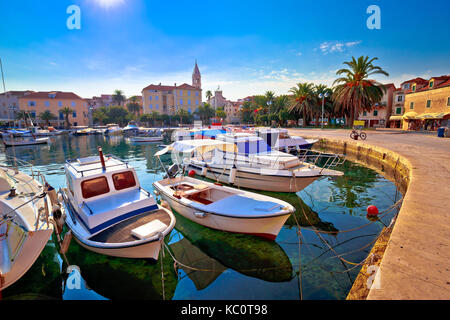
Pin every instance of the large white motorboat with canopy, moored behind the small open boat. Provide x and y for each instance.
(255, 165)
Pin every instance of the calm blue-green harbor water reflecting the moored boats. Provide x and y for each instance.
(215, 264)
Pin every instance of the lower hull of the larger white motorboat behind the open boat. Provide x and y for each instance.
(257, 181)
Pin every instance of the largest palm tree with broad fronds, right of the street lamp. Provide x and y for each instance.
(355, 92)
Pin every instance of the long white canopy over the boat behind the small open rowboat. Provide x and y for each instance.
(201, 146)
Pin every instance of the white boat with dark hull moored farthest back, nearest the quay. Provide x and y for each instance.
(279, 139)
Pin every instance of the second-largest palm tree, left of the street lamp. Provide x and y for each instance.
(304, 99)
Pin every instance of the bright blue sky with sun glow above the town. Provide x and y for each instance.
(245, 47)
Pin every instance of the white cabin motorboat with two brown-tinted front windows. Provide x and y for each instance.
(108, 211)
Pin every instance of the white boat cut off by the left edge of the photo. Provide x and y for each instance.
(25, 222)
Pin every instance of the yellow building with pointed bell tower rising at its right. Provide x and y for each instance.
(171, 99)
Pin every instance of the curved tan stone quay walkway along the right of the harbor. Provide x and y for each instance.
(416, 263)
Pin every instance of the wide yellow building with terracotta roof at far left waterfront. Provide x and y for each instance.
(54, 101)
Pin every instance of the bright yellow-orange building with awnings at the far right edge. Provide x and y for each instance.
(427, 104)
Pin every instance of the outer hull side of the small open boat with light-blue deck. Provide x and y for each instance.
(265, 227)
